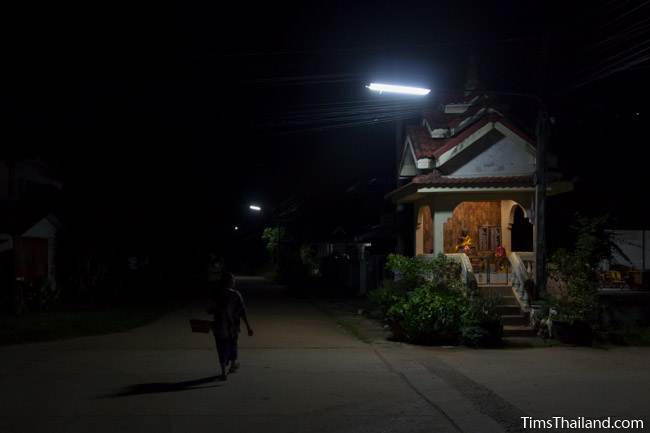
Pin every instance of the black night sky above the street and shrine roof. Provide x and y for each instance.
(166, 121)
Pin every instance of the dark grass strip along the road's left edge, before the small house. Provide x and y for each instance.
(56, 325)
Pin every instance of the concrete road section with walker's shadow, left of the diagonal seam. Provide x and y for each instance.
(301, 372)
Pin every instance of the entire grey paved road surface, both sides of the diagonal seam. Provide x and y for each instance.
(301, 372)
